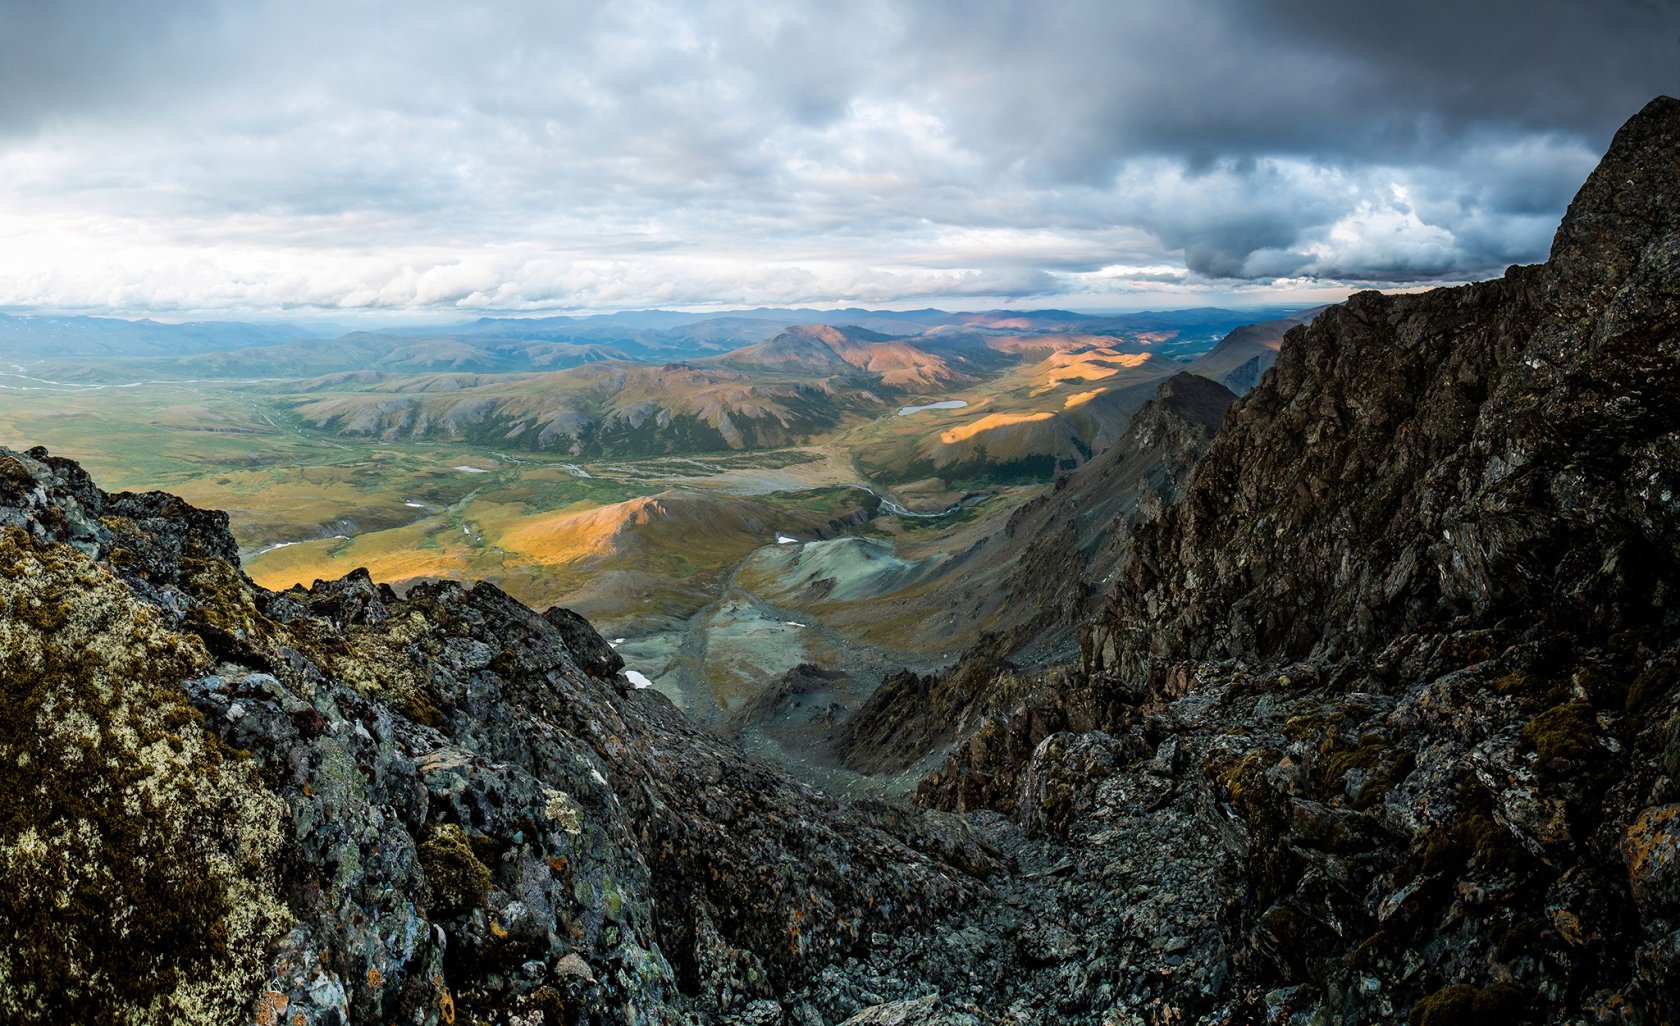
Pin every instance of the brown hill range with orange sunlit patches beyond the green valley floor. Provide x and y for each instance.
(1037, 394)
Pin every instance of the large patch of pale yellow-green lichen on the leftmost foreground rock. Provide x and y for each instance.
(140, 859)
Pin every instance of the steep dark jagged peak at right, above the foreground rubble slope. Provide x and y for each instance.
(1473, 453)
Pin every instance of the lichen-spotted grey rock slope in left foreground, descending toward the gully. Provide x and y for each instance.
(344, 807)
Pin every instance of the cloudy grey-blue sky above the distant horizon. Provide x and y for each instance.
(249, 159)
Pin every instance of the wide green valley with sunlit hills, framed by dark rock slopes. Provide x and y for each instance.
(732, 498)
